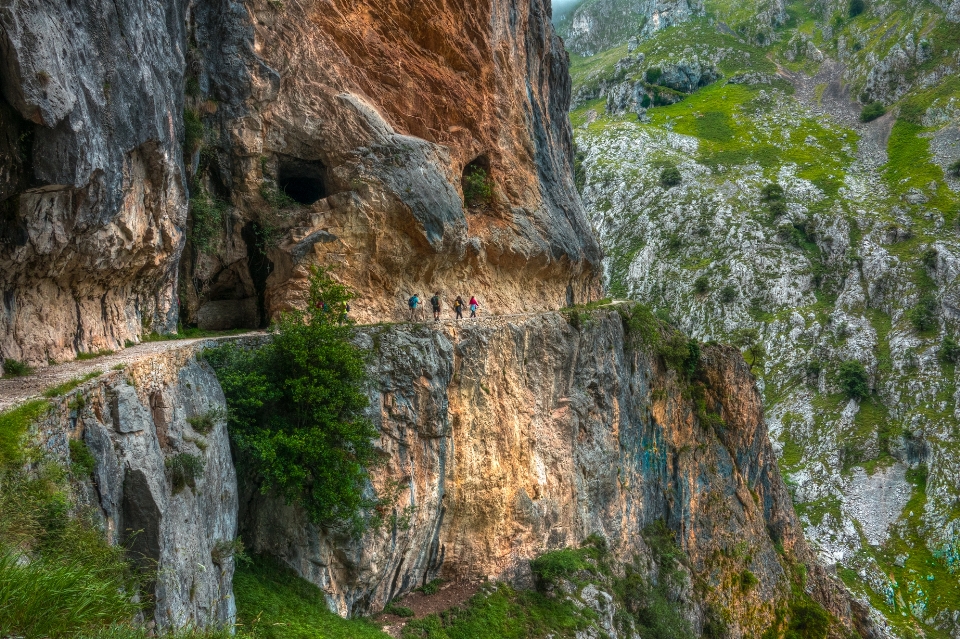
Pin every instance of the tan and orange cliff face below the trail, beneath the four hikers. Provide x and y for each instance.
(509, 439)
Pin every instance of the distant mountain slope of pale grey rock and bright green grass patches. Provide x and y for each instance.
(826, 246)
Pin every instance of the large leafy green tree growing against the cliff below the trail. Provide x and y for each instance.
(296, 408)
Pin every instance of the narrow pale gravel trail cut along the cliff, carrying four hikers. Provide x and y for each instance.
(17, 390)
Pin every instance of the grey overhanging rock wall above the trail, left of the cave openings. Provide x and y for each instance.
(92, 196)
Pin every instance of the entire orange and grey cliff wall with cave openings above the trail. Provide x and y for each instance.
(316, 132)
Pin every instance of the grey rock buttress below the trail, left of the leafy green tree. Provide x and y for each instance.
(163, 486)
